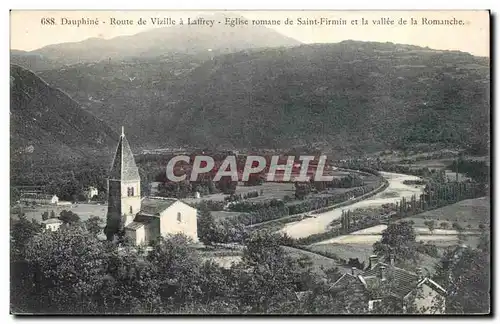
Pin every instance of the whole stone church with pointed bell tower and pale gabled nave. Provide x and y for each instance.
(143, 219)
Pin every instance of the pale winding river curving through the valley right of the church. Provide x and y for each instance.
(394, 192)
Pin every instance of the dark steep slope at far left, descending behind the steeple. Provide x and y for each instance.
(48, 127)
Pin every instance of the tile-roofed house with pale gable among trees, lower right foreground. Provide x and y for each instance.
(386, 285)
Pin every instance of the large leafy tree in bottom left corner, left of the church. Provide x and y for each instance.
(68, 271)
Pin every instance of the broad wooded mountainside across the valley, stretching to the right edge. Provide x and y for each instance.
(350, 96)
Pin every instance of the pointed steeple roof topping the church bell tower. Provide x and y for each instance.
(124, 167)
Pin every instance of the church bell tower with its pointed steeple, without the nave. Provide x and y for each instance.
(124, 185)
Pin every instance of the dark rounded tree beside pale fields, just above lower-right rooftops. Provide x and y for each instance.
(398, 239)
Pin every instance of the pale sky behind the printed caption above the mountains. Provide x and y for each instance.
(28, 33)
